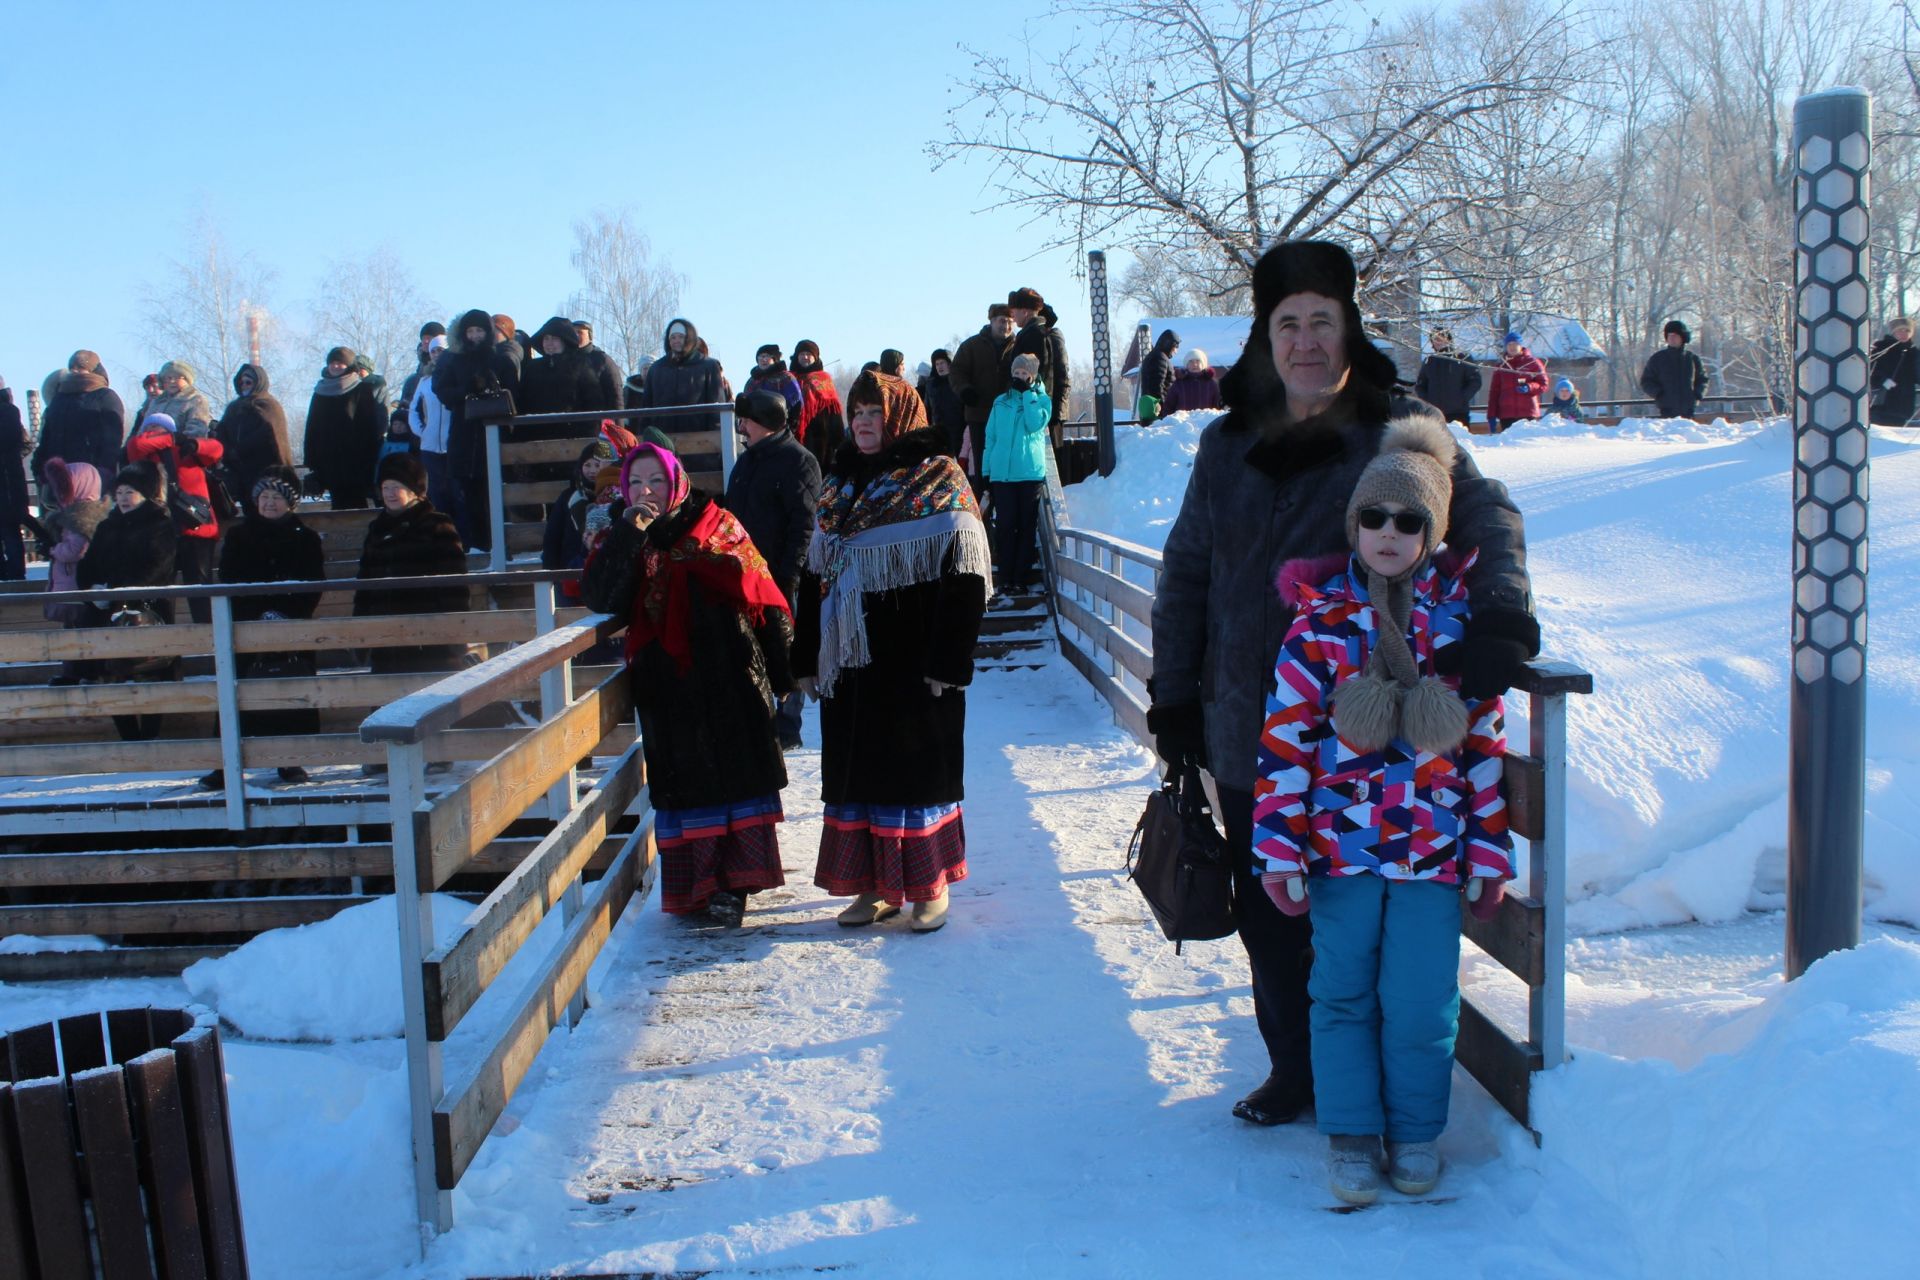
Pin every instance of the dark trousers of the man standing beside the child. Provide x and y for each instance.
(1280, 949)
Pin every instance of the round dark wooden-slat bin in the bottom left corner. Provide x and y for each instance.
(116, 1152)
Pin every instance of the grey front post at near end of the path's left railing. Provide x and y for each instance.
(406, 774)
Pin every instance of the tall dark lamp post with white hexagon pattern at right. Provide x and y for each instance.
(1827, 790)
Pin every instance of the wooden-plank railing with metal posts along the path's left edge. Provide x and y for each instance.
(439, 838)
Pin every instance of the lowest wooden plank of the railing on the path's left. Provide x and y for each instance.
(477, 1104)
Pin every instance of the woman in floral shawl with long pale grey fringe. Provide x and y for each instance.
(890, 607)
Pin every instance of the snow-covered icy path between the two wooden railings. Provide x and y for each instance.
(1042, 1089)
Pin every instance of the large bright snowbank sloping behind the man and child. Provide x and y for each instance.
(1662, 559)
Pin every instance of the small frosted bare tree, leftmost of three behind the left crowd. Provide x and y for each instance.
(199, 310)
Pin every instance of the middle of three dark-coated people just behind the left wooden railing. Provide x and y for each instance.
(274, 546)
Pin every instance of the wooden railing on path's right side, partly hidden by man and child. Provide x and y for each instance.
(1103, 592)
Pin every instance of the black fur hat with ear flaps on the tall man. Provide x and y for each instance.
(1307, 268)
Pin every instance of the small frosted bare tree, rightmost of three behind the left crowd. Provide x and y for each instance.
(627, 293)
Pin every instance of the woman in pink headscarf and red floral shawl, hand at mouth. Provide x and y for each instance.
(708, 652)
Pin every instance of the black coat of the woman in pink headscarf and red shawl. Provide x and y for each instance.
(708, 732)
